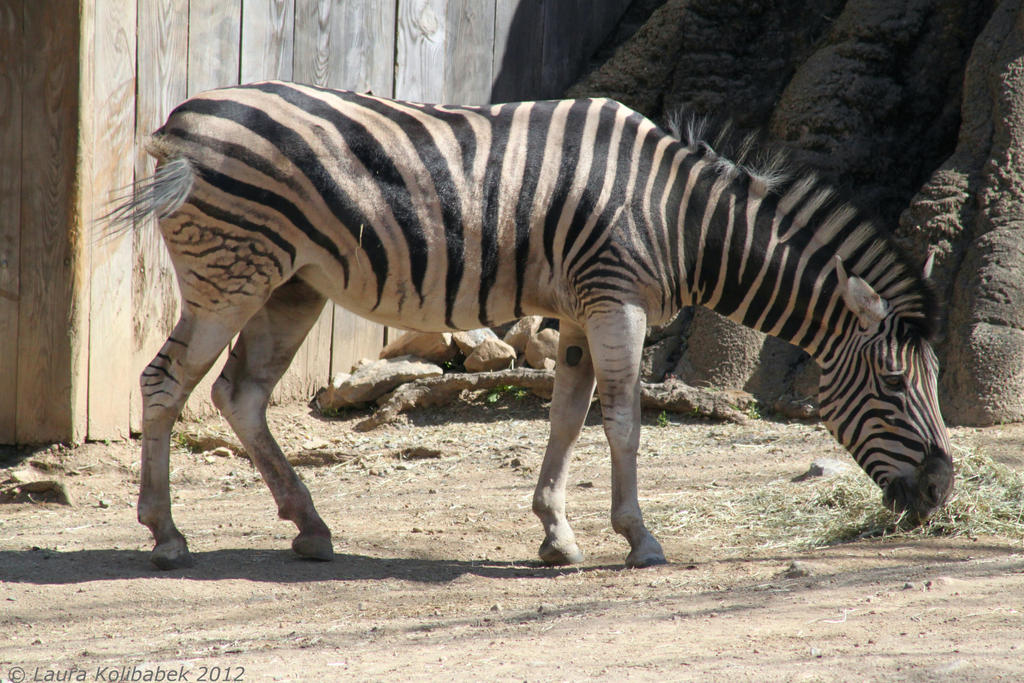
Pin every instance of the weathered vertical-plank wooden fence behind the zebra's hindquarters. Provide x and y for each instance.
(81, 86)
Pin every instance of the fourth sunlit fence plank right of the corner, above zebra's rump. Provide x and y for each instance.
(268, 32)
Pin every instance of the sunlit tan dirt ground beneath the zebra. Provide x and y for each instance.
(436, 575)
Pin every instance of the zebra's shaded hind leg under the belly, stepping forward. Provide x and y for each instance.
(258, 362)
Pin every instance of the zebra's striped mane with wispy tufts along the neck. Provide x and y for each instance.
(883, 263)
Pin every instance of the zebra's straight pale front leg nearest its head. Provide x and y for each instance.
(616, 345)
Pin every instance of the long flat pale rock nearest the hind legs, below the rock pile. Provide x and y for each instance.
(372, 380)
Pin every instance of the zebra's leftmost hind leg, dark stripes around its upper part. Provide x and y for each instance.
(166, 383)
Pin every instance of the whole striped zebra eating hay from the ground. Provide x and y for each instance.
(274, 198)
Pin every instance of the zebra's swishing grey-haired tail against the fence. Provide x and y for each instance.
(159, 195)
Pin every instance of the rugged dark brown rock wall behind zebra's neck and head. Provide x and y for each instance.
(914, 109)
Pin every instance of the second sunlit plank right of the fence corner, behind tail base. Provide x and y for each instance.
(163, 59)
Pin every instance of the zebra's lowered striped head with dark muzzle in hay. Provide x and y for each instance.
(879, 398)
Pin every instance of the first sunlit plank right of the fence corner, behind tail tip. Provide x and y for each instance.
(112, 376)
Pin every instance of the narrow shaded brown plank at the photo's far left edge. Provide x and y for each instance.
(12, 63)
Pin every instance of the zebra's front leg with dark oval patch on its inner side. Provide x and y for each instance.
(570, 405)
